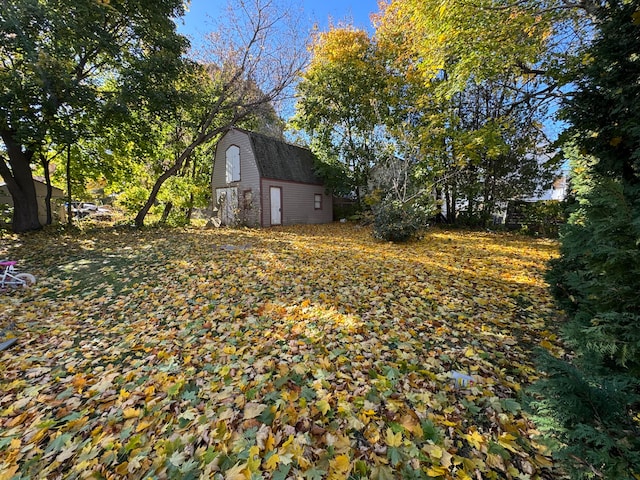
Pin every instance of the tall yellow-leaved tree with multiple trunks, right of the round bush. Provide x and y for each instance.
(479, 79)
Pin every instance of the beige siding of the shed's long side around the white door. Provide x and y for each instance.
(297, 203)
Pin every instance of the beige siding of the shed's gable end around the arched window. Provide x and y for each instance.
(249, 177)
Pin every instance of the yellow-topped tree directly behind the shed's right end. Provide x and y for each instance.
(341, 103)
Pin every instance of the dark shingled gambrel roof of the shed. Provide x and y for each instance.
(279, 160)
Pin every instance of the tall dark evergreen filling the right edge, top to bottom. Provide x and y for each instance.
(590, 405)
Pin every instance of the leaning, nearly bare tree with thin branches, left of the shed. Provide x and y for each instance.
(254, 57)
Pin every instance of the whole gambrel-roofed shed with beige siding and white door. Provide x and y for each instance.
(260, 181)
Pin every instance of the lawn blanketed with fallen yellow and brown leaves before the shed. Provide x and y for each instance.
(302, 352)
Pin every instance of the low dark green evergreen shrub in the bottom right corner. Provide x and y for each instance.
(584, 415)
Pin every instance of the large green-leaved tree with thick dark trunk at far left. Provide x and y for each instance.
(55, 59)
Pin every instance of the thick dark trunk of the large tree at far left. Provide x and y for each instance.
(20, 184)
